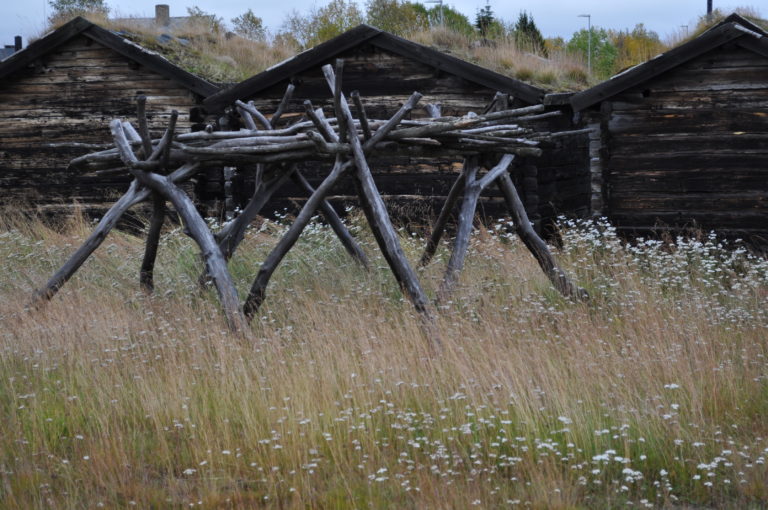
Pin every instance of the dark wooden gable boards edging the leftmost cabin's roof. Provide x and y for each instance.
(129, 49)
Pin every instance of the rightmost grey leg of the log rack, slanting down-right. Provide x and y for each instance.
(535, 244)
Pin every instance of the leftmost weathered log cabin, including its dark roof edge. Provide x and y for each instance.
(65, 88)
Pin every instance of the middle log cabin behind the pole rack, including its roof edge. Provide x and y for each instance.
(386, 69)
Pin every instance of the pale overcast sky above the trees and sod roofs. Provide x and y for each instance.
(554, 17)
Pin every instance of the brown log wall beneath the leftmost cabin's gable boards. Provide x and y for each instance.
(70, 96)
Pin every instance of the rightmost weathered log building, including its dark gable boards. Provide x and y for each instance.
(682, 140)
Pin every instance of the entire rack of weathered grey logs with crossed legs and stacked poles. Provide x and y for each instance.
(159, 166)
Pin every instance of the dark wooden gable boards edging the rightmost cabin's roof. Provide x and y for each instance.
(734, 29)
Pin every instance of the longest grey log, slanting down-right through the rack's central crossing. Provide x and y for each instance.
(399, 264)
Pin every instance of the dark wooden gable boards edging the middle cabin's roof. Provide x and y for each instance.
(364, 34)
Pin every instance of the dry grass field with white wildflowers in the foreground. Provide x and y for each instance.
(653, 394)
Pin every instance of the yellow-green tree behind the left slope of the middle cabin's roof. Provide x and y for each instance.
(319, 25)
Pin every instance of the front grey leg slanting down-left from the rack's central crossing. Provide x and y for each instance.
(258, 289)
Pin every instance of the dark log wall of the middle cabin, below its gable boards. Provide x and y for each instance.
(414, 186)
